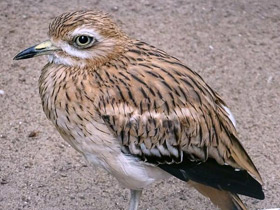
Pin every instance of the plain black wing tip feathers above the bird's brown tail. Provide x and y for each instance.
(222, 177)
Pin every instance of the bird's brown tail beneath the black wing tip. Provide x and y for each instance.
(222, 199)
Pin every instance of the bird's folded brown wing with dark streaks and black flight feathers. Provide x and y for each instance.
(165, 114)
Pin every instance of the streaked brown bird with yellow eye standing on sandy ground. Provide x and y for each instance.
(140, 113)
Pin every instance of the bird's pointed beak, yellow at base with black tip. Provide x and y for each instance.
(45, 48)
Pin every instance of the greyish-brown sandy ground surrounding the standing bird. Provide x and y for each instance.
(234, 45)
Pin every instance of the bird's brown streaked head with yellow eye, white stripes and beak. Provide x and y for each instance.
(79, 39)
